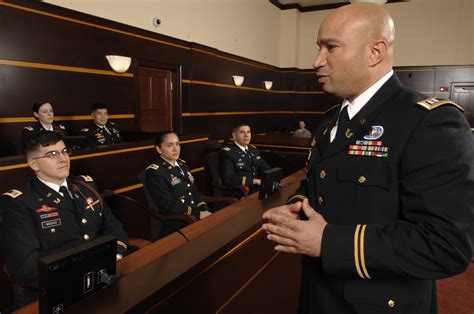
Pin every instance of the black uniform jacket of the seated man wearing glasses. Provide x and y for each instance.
(38, 221)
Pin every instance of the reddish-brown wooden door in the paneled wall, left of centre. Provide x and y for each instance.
(155, 99)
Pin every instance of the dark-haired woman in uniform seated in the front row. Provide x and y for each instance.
(171, 185)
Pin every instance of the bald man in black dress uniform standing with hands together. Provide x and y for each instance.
(387, 206)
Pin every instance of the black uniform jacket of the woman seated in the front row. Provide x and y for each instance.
(173, 192)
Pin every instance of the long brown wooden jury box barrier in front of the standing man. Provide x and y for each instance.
(226, 267)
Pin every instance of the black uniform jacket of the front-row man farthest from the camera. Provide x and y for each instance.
(237, 168)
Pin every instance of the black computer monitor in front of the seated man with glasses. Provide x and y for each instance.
(70, 275)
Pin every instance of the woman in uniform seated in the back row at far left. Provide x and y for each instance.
(44, 114)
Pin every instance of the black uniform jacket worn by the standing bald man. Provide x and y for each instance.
(398, 195)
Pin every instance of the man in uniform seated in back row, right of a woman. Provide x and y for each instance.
(101, 131)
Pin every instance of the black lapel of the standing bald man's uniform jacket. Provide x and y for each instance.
(360, 124)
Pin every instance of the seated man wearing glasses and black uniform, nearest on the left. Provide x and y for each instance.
(51, 212)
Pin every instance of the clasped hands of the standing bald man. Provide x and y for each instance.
(292, 235)
